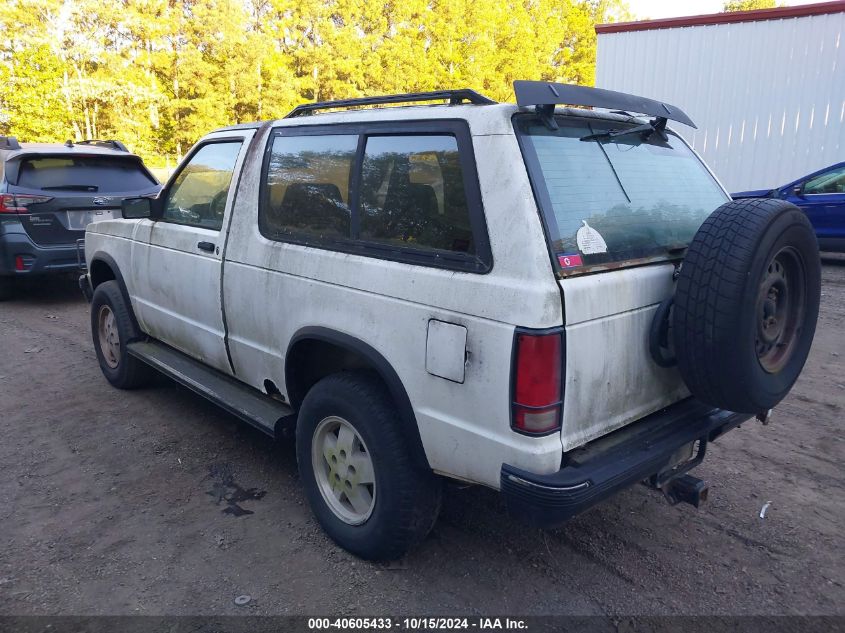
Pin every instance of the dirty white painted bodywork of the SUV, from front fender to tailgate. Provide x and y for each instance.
(457, 372)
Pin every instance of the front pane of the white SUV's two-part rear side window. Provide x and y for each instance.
(307, 187)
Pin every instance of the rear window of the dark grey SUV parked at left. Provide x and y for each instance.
(96, 174)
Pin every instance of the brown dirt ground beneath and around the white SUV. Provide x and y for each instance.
(156, 502)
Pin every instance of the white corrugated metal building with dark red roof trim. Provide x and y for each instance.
(766, 88)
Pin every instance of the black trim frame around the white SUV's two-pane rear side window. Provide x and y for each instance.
(481, 262)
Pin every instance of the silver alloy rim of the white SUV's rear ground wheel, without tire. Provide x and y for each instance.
(344, 470)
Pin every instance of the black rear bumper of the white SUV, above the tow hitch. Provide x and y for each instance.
(603, 467)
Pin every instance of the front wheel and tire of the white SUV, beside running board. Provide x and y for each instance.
(112, 328)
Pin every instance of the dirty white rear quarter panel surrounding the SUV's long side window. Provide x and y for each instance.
(465, 428)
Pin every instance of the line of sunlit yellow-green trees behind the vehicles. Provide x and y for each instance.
(158, 74)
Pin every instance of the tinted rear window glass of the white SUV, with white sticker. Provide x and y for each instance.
(615, 199)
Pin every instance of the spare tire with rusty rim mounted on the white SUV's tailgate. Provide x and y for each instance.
(746, 304)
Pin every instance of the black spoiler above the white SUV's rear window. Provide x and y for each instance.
(546, 95)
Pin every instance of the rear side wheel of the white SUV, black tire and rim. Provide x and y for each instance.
(356, 469)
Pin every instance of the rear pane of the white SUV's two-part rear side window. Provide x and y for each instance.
(412, 193)
